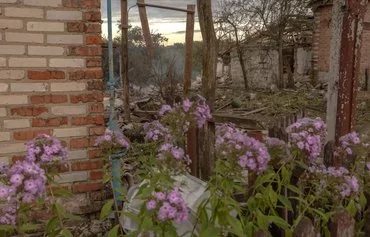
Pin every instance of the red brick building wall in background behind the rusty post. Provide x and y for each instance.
(322, 39)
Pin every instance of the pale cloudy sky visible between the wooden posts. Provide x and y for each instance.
(171, 24)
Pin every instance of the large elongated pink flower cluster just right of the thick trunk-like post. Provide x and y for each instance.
(249, 152)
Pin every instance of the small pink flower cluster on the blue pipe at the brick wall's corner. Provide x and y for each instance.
(112, 140)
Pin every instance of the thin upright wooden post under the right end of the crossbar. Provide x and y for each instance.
(189, 49)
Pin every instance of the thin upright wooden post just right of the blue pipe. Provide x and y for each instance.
(124, 60)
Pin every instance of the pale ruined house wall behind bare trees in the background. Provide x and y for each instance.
(262, 68)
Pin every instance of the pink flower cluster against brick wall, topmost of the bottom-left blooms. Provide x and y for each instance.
(45, 149)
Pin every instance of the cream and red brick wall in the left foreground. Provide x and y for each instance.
(50, 82)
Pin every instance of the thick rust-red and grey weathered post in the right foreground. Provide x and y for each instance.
(344, 66)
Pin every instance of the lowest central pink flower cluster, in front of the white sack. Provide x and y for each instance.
(169, 206)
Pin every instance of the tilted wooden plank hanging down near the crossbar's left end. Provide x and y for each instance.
(146, 30)
